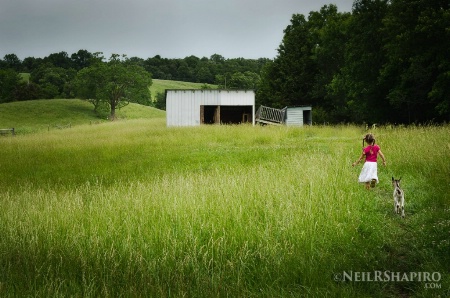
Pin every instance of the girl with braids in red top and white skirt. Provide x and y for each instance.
(369, 174)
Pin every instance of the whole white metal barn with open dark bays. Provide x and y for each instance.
(192, 107)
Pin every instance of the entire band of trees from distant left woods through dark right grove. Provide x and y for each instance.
(386, 61)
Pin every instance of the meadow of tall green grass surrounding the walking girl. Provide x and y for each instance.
(133, 208)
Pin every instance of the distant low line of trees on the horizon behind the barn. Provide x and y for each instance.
(52, 76)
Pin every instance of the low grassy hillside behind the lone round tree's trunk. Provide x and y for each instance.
(45, 114)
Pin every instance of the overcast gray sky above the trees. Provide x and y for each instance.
(145, 28)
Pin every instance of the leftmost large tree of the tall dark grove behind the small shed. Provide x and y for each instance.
(310, 55)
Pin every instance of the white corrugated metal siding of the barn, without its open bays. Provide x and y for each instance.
(183, 106)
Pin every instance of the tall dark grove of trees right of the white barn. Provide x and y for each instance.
(387, 61)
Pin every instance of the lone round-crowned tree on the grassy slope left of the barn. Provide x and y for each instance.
(114, 83)
